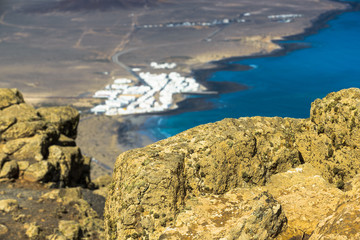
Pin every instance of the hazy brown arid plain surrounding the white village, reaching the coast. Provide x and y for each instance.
(60, 55)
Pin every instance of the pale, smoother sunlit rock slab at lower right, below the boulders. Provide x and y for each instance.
(305, 196)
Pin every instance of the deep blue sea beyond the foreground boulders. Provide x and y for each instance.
(281, 86)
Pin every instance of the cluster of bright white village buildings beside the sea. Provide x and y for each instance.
(153, 93)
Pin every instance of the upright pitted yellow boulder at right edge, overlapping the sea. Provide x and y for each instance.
(331, 139)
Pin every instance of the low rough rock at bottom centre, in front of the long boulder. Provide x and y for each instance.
(238, 214)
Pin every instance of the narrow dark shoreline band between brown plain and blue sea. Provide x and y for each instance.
(202, 74)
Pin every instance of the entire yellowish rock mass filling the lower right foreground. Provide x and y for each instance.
(247, 178)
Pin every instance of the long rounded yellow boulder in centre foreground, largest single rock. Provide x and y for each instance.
(208, 159)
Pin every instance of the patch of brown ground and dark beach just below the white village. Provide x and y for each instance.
(104, 138)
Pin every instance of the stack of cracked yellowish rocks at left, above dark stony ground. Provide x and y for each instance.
(39, 144)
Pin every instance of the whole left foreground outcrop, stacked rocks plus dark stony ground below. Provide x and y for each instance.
(44, 178)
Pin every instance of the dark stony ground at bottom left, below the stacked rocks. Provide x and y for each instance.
(31, 210)
